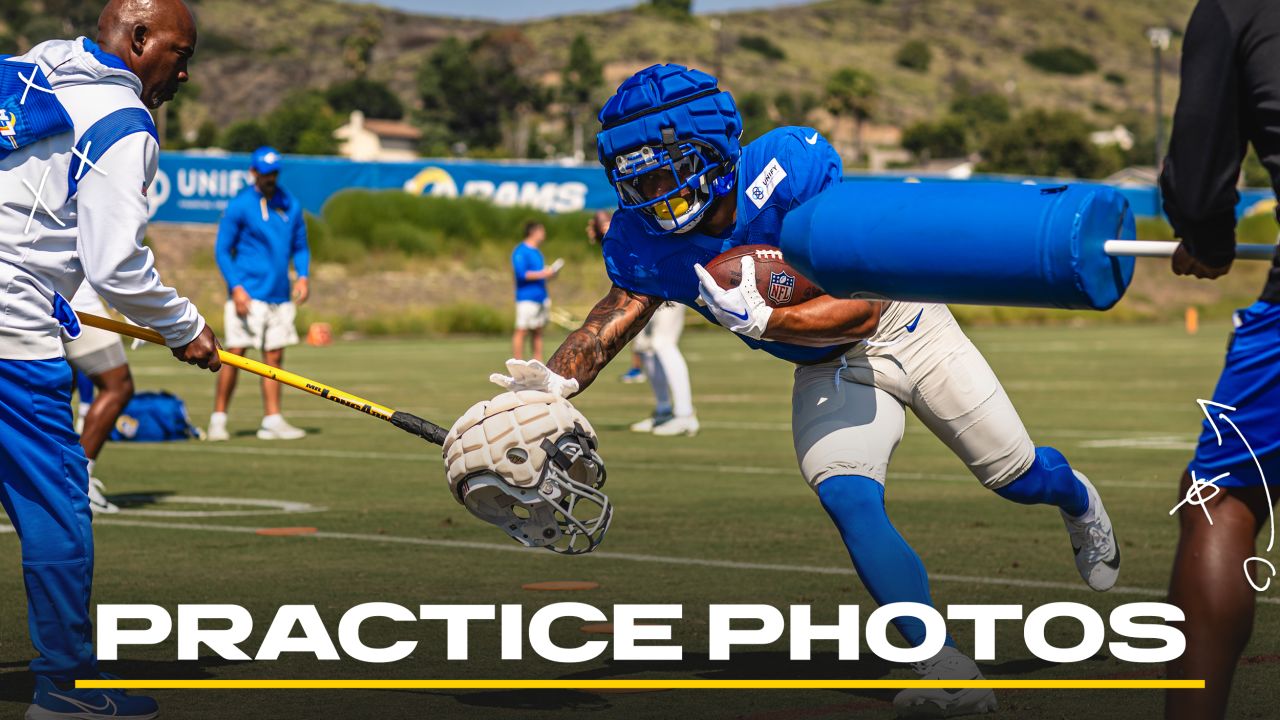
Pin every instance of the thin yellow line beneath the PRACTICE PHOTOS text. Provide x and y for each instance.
(638, 685)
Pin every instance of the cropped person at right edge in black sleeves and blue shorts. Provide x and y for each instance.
(1231, 98)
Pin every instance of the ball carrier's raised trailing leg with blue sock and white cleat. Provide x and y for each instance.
(959, 398)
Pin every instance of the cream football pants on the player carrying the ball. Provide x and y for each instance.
(848, 416)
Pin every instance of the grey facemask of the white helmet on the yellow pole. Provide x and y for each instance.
(564, 511)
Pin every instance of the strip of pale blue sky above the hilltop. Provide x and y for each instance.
(524, 10)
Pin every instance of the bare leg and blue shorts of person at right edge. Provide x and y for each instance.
(1240, 445)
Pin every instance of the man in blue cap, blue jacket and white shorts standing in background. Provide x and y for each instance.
(260, 233)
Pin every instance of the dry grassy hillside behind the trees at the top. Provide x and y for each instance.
(253, 53)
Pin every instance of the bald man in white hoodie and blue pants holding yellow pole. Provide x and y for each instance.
(77, 157)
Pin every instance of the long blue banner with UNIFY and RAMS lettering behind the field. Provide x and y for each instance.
(196, 188)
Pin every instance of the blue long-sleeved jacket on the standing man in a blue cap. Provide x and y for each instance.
(257, 240)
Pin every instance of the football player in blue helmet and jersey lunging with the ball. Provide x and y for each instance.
(688, 192)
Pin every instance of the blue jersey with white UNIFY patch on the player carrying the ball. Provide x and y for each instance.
(778, 172)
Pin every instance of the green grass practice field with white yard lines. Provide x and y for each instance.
(717, 520)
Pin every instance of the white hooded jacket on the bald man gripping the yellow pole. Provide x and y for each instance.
(92, 217)
